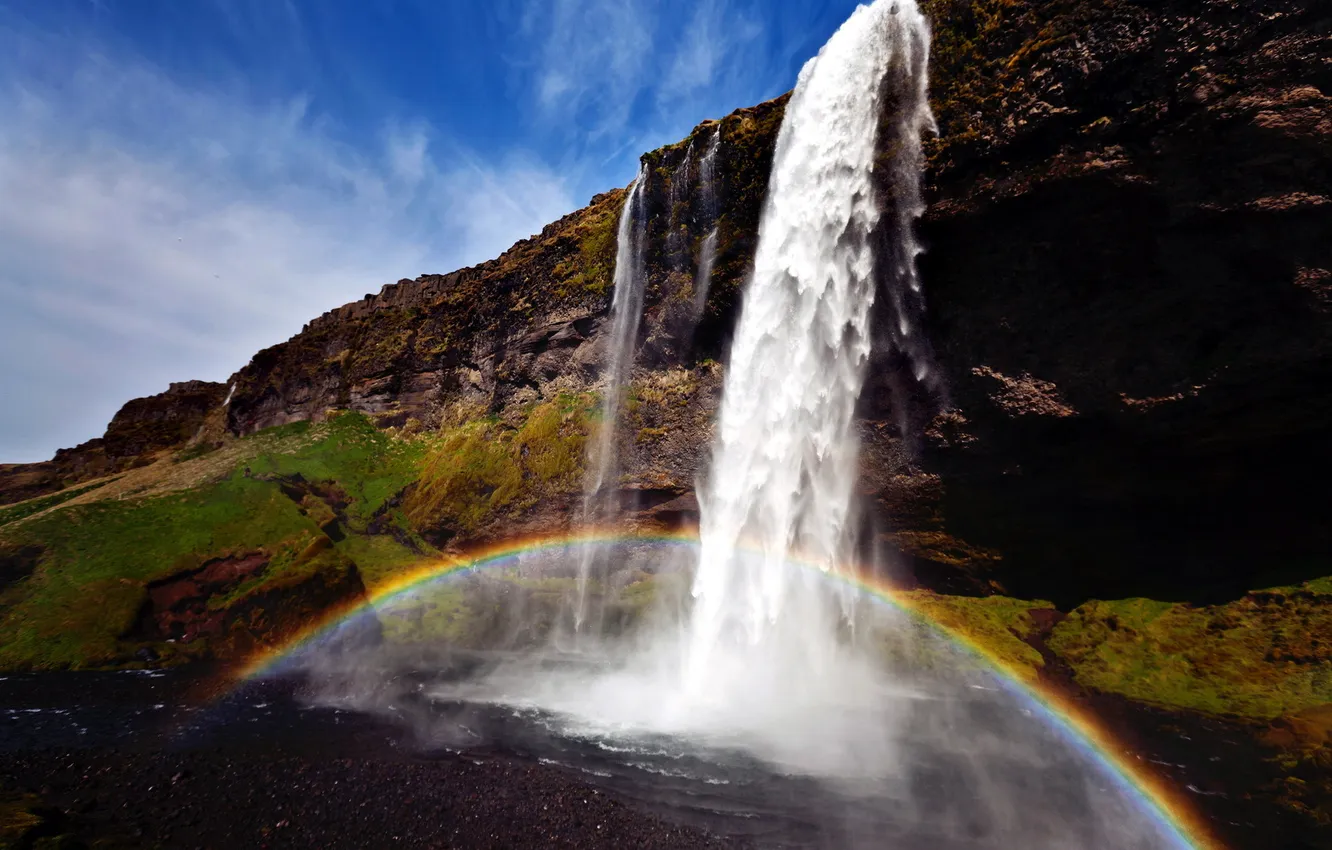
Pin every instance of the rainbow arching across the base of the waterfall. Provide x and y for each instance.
(1080, 728)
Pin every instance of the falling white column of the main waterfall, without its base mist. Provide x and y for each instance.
(785, 458)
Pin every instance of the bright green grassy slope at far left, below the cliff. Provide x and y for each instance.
(300, 500)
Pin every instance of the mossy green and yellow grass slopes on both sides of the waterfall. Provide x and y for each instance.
(268, 531)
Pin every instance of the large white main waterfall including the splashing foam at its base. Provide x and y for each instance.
(759, 661)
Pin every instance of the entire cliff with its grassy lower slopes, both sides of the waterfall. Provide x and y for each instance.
(1130, 290)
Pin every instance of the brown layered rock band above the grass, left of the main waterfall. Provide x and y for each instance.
(484, 335)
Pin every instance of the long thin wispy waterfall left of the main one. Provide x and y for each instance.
(627, 311)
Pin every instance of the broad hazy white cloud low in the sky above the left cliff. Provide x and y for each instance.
(155, 232)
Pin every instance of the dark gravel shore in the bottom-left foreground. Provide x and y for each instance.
(210, 799)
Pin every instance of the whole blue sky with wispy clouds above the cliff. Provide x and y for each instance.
(187, 182)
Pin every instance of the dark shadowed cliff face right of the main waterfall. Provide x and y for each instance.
(1129, 276)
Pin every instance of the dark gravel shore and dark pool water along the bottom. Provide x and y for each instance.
(129, 760)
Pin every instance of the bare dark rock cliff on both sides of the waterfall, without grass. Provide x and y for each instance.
(1130, 286)
